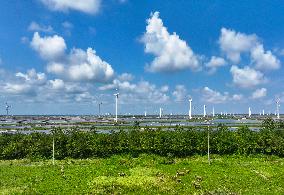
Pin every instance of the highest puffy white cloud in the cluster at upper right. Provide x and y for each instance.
(233, 43)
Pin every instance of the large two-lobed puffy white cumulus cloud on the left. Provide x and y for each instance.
(78, 65)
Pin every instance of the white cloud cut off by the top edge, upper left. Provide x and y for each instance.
(86, 6)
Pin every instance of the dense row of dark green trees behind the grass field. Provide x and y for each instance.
(183, 141)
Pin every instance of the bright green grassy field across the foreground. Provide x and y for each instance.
(146, 174)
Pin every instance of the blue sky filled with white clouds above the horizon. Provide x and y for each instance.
(66, 57)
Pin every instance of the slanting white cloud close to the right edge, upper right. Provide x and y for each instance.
(264, 60)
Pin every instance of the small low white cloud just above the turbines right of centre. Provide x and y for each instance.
(214, 97)
